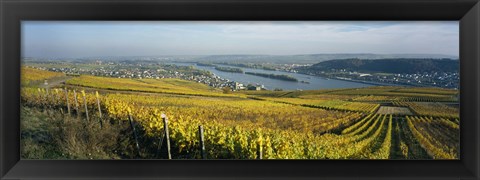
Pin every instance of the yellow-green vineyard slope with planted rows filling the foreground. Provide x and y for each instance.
(187, 120)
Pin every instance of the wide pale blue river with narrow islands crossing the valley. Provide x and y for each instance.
(315, 82)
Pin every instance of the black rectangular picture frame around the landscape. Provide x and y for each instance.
(12, 12)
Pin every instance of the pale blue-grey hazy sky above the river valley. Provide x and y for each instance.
(155, 38)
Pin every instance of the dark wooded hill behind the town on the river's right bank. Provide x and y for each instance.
(387, 65)
